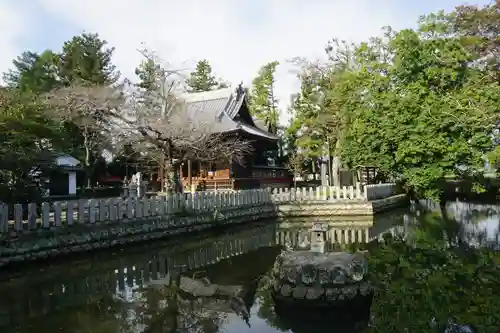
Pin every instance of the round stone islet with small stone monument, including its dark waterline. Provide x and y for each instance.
(305, 280)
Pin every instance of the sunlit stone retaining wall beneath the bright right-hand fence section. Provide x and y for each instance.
(308, 208)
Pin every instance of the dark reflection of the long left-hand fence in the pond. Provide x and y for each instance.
(79, 285)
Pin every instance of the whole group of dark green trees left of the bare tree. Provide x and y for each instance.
(32, 134)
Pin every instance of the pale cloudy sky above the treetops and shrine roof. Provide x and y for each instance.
(236, 36)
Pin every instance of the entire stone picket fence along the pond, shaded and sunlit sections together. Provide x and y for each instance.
(98, 211)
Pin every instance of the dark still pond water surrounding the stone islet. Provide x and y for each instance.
(433, 269)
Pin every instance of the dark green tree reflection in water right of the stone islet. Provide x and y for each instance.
(436, 277)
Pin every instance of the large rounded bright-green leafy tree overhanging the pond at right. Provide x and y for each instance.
(417, 107)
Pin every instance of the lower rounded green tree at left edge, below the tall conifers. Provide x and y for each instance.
(27, 137)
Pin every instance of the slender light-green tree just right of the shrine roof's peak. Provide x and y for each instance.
(263, 101)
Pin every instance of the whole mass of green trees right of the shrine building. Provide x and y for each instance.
(419, 105)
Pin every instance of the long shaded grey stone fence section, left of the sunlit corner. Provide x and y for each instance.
(98, 211)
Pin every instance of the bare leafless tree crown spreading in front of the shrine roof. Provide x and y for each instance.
(156, 122)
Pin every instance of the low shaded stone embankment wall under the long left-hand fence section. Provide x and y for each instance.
(46, 243)
